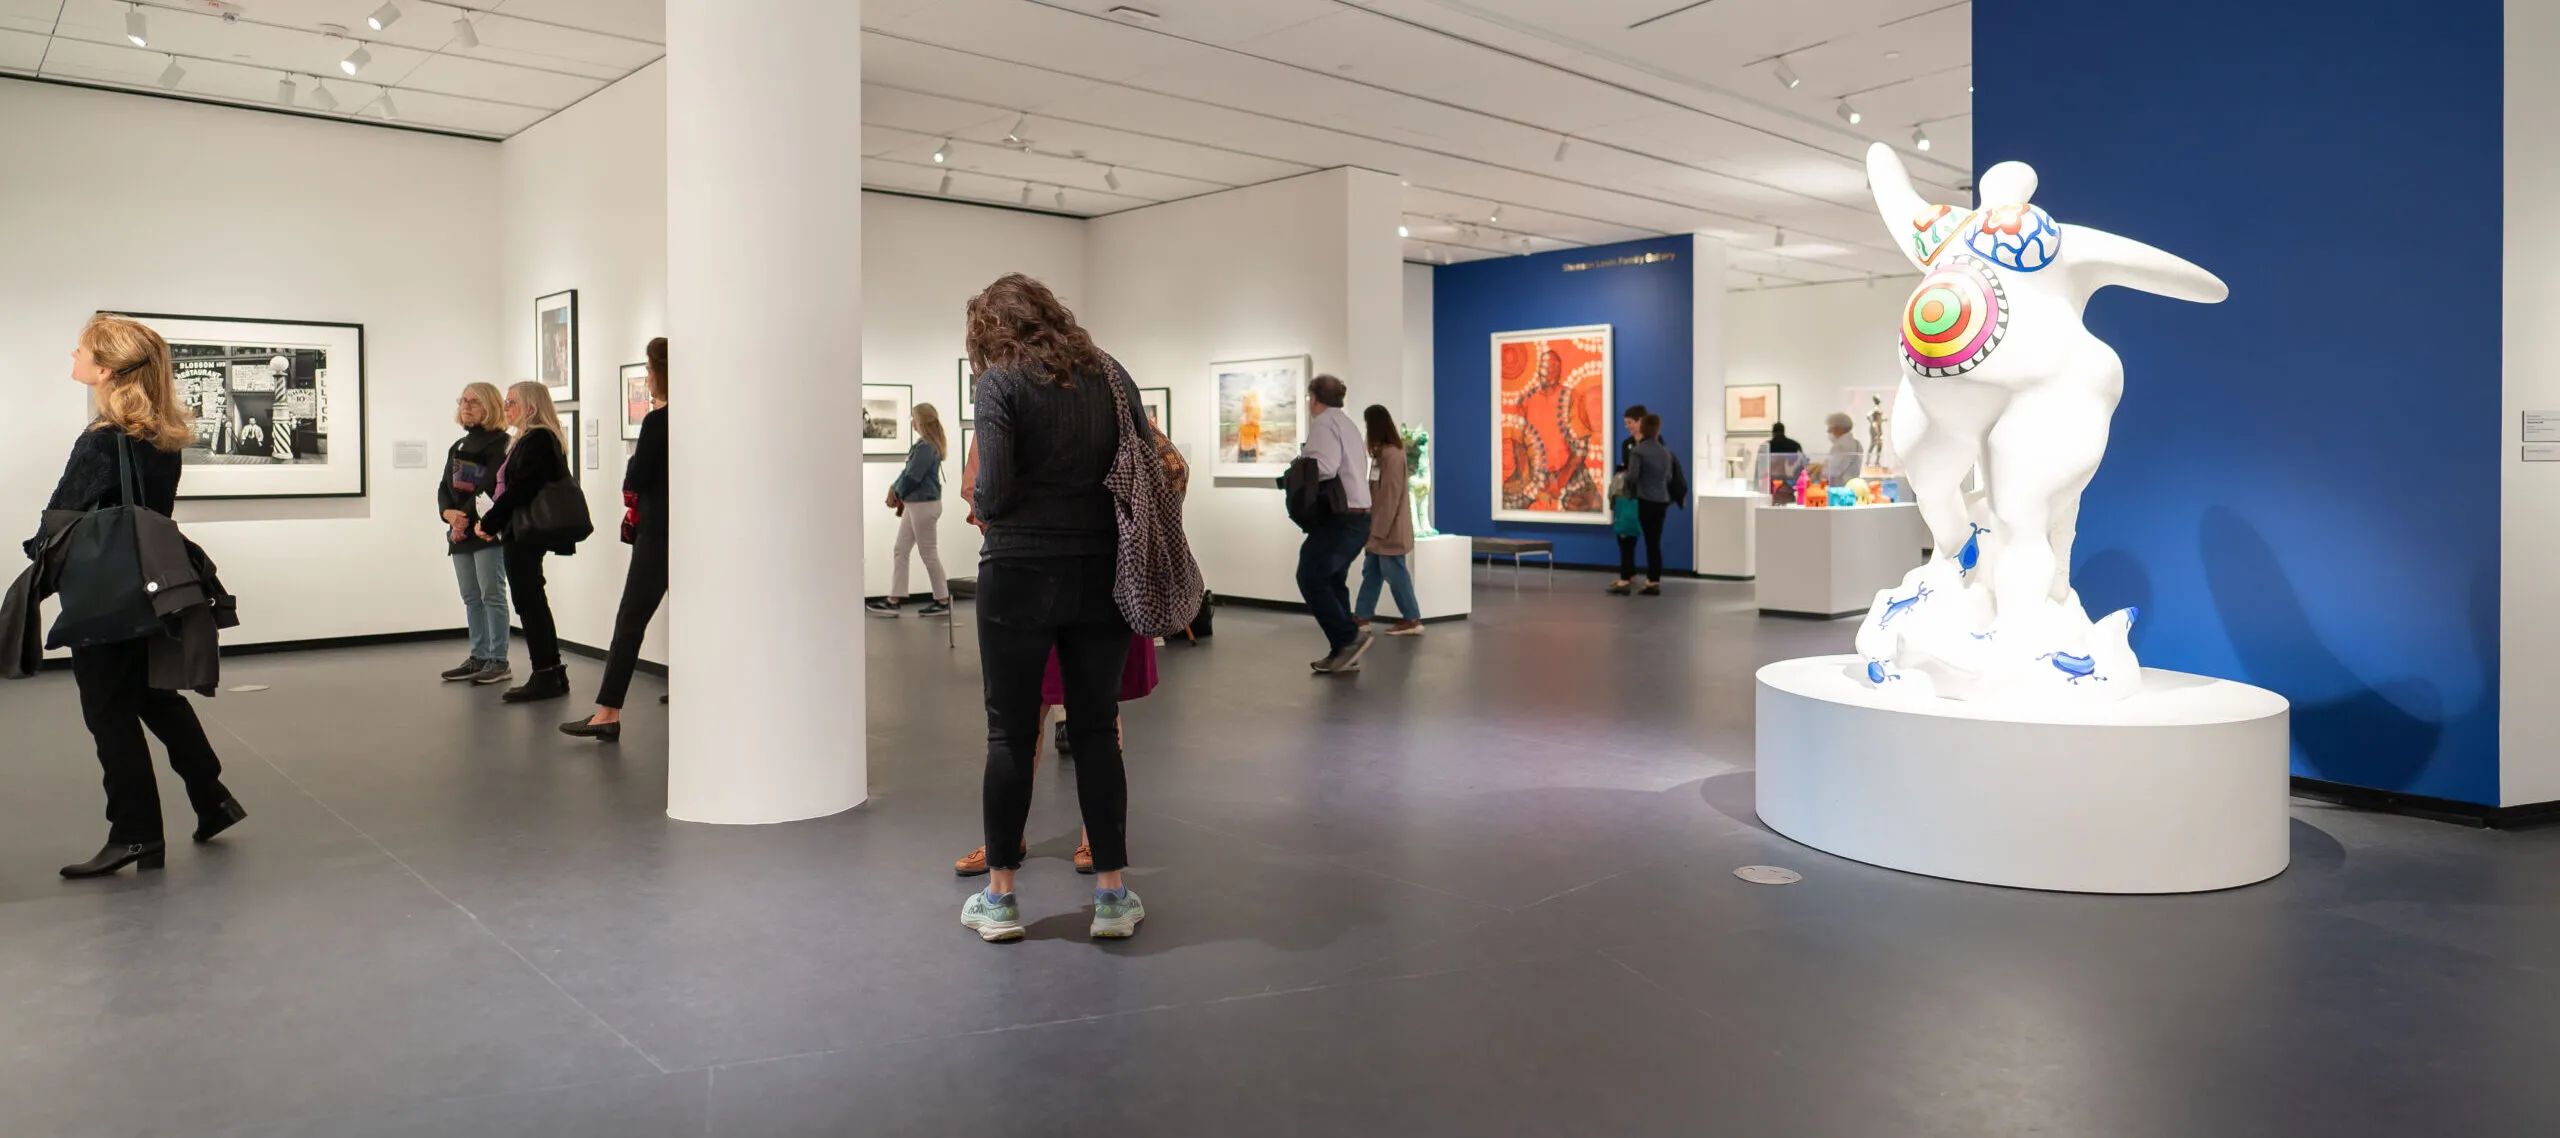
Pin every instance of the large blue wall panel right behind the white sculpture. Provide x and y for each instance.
(2303, 485)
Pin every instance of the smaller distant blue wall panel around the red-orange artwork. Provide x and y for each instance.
(1650, 316)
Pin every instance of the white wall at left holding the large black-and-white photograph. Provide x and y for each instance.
(157, 206)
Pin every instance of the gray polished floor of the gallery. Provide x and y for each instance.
(1478, 891)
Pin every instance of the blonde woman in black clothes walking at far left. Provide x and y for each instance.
(127, 370)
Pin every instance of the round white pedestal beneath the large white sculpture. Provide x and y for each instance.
(2180, 789)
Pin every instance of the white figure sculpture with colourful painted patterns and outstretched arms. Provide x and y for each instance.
(2001, 382)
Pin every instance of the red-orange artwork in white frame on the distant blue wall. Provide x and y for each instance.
(1553, 395)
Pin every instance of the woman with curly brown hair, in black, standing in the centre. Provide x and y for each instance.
(1048, 431)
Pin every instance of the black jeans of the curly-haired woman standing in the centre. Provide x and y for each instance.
(1025, 610)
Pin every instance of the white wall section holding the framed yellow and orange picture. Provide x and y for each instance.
(1312, 267)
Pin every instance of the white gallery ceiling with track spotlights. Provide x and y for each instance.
(1673, 109)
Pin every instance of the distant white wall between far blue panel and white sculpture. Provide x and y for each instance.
(1816, 344)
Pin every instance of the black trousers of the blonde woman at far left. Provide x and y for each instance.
(119, 702)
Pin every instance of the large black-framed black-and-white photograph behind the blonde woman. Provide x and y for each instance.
(278, 405)
